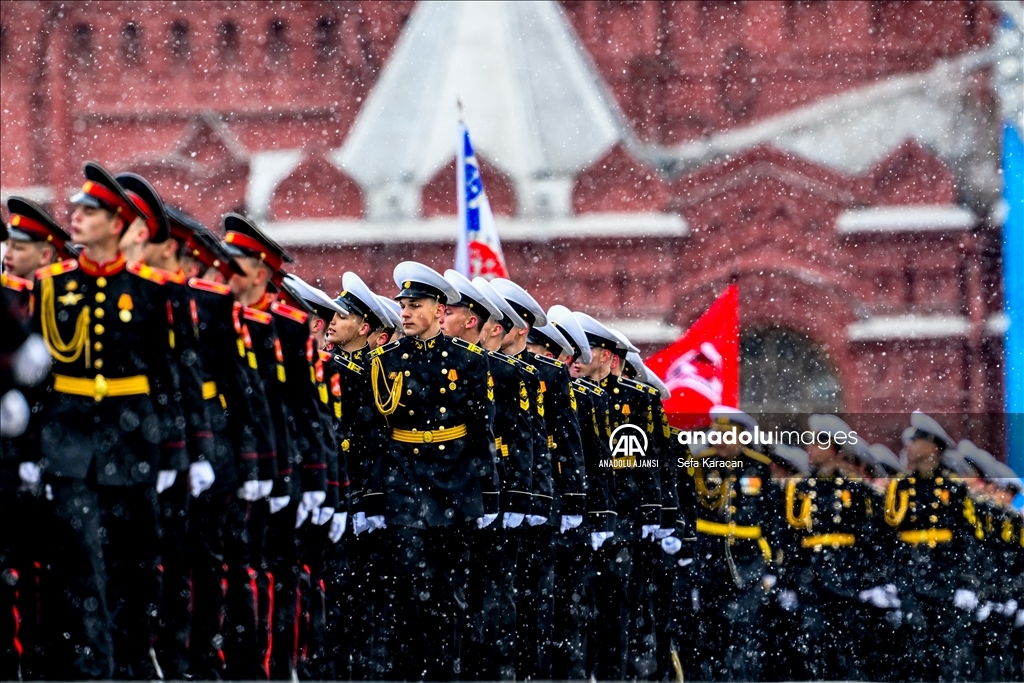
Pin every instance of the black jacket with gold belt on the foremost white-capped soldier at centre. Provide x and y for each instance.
(423, 389)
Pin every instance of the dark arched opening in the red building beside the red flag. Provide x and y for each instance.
(784, 372)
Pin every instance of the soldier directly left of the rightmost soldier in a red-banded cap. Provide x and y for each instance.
(224, 639)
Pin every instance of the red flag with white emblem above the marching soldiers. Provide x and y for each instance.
(702, 369)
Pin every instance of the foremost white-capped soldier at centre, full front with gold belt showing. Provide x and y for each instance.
(437, 397)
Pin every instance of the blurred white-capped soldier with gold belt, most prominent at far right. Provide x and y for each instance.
(938, 531)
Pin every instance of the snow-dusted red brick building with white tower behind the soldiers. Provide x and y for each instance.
(838, 160)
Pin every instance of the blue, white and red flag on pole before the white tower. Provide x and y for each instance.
(479, 251)
